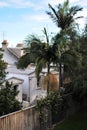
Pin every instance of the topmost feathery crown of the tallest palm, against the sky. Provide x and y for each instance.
(64, 15)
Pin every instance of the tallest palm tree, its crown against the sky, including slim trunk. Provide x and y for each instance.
(64, 18)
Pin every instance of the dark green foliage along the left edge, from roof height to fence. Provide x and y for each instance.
(8, 102)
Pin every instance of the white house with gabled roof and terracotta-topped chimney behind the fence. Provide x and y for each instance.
(24, 79)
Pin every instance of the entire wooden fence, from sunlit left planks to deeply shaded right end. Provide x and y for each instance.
(28, 119)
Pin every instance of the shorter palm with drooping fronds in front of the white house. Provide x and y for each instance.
(41, 53)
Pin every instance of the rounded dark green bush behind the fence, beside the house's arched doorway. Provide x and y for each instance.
(8, 102)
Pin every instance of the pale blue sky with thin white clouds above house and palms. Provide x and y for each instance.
(18, 18)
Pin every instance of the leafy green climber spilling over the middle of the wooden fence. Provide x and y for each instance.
(46, 104)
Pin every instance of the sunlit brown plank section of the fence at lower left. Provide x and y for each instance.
(27, 119)
